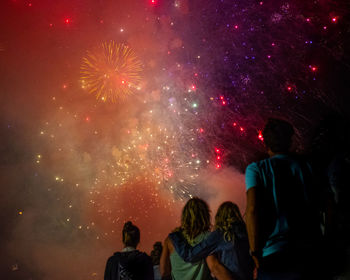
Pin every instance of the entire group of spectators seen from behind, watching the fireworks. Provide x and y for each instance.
(296, 226)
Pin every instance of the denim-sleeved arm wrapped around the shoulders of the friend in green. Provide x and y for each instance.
(195, 253)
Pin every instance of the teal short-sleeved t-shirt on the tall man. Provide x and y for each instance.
(289, 198)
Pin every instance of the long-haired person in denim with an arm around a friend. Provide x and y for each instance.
(226, 248)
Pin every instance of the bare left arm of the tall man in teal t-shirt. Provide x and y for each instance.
(253, 222)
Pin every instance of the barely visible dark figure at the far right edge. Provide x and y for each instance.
(331, 151)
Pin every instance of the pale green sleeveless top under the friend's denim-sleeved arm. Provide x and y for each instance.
(181, 270)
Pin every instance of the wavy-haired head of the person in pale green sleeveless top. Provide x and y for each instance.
(195, 218)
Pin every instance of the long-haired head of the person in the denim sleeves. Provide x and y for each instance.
(226, 217)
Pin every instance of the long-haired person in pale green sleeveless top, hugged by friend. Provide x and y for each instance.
(195, 225)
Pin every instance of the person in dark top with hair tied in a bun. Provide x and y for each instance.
(129, 264)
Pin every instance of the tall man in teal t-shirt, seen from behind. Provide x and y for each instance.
(283, 220)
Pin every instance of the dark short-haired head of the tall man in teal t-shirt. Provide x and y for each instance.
(278, 135)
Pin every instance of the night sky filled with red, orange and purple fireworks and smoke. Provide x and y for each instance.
(122, 110)
